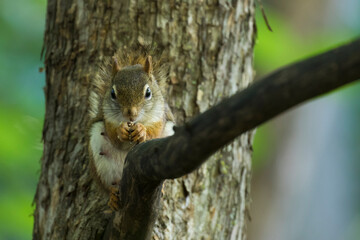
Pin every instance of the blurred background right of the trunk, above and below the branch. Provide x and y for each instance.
(305, 182)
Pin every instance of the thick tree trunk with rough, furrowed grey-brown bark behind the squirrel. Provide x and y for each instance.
(210, 47)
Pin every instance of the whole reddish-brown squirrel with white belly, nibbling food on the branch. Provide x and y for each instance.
(127, 107)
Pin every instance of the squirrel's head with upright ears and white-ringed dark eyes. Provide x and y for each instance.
(134, 94)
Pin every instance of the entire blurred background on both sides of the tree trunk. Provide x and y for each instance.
(294, 210)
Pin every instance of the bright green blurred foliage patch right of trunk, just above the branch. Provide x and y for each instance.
(286, 45)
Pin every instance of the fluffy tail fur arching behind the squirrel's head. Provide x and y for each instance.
(125, 56)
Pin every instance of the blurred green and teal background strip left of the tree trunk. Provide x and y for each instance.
(21, 113)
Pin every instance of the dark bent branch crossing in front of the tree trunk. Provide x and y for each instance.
(151, 162)
